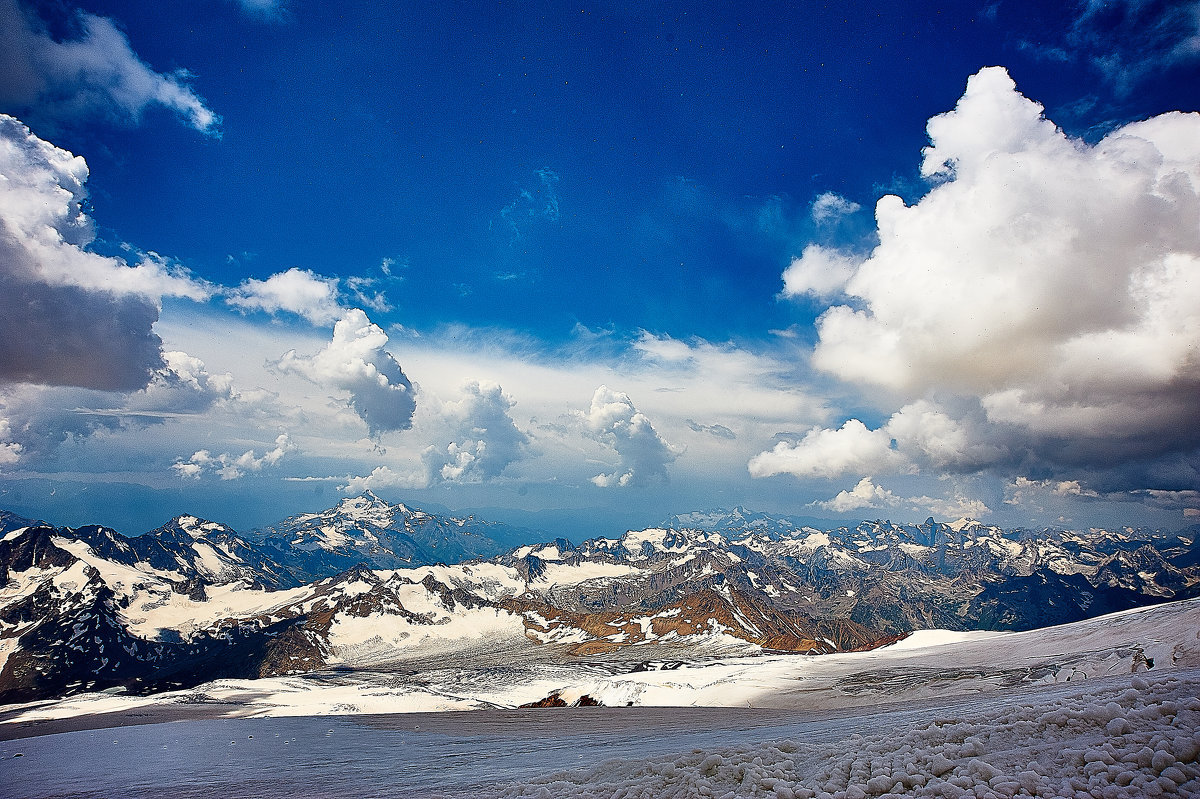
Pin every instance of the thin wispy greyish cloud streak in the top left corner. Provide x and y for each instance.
(92, 73)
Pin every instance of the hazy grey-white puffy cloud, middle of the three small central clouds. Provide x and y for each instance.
(487, 440)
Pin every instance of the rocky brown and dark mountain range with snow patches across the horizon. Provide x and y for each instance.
(380, 586)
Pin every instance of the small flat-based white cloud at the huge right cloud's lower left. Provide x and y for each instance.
(823, 453)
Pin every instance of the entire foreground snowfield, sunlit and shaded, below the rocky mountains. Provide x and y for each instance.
(1106, 708)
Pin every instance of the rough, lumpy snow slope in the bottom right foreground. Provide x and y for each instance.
(1138, 742)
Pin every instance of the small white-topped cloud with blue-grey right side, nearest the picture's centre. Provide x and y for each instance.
(644, 455)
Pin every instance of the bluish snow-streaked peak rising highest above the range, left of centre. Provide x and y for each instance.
(369, 531)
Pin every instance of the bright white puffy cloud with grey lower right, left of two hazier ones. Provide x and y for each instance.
(357, 363)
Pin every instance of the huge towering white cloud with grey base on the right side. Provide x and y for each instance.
(1041, 303)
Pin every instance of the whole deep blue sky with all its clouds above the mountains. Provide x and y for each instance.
(585, 267)
